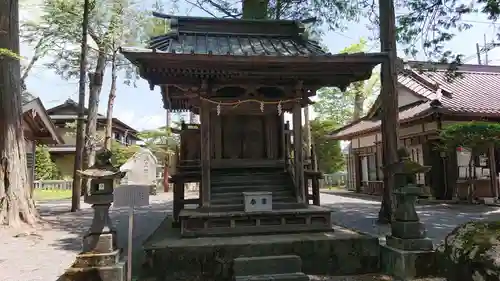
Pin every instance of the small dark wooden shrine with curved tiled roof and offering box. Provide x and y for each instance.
(241, 76)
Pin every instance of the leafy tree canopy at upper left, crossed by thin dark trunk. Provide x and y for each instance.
(112, 23)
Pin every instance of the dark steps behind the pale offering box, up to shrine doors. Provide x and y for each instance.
(228, 185)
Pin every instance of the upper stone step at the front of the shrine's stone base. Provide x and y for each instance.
(267, 265)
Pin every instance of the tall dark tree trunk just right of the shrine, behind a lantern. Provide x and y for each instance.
(390, 119)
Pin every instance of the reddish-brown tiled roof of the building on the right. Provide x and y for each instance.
(474, 92)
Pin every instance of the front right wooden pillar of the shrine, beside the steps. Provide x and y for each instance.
(298, 152)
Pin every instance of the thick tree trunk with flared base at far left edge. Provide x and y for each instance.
(16, 205)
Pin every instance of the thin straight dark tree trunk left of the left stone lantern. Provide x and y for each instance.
(77, 190)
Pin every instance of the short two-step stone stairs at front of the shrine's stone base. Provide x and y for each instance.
(282, 268)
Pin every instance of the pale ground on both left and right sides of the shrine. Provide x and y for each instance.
(45, 254)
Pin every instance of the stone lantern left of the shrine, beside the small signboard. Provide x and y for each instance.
(100, 258)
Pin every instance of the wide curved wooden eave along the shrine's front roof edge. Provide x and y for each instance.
(327, 70)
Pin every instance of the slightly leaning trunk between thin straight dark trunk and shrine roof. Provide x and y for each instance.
(91, 138)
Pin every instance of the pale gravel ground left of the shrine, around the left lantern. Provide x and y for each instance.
(44, 255)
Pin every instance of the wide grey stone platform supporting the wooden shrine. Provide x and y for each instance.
(342, 252)
